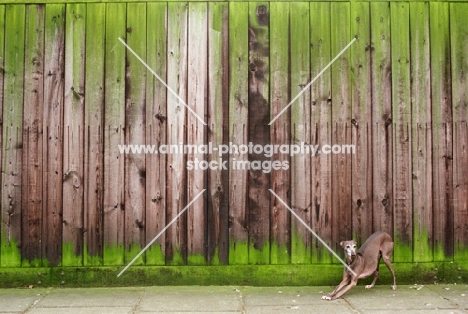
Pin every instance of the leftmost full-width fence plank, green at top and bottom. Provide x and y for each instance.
(12, 141)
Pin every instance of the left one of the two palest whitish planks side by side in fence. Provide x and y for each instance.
(176, 235)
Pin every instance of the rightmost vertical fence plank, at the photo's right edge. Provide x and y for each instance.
(459, 61)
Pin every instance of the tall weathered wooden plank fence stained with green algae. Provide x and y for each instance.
(71, 93)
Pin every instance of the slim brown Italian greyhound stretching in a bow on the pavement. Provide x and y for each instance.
(364, 263)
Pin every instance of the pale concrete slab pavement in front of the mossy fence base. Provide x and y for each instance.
(230, 299)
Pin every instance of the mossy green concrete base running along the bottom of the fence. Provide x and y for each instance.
(248, 275)
